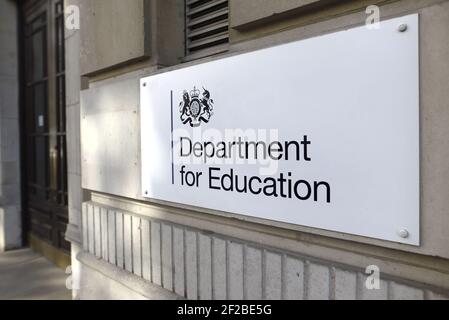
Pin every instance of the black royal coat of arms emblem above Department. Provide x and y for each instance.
(196, 109)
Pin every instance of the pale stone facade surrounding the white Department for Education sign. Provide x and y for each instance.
(150, 250)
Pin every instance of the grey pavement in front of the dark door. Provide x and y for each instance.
(26, 275)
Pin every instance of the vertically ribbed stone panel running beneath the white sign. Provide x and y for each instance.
(199, 265)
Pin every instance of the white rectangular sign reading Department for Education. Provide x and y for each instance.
(322, 133)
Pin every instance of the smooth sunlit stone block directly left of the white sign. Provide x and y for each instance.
(110, 132)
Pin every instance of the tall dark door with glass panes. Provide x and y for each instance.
(44, 129)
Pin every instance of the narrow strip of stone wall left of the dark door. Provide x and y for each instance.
(10, 203)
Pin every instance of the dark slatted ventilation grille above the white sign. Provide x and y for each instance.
(206, 24)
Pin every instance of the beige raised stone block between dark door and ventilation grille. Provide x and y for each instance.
(113, 32)
